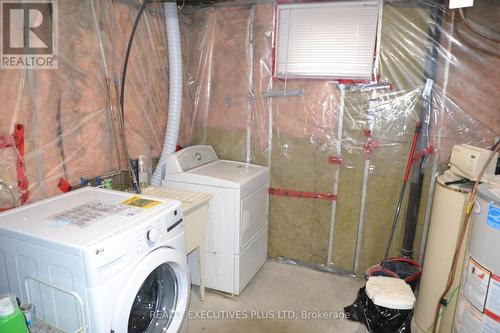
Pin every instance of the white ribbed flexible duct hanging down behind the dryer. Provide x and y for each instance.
(175, 90)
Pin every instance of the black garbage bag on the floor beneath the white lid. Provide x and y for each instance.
(378, 319)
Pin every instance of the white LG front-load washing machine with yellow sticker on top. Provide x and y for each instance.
(100, 260)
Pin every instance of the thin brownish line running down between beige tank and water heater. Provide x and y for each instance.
(465, 223)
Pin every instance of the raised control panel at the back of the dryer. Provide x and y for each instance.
(190, 158)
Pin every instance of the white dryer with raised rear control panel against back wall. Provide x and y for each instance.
(236, 233)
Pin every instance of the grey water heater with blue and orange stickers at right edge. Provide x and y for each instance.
(478, 309)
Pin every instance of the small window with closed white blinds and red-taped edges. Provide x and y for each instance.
(326, 39)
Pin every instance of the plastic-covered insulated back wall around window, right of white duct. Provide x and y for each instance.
(228, 67)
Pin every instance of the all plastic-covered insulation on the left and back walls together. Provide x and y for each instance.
(72, 121)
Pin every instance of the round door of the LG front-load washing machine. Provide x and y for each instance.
(156, 296)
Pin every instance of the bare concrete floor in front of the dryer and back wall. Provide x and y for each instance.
(283, 291)
